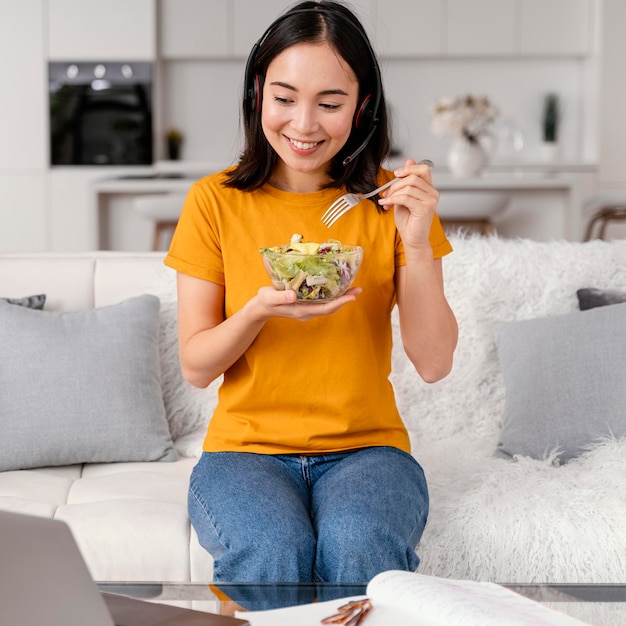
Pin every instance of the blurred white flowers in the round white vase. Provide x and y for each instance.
(466, 116)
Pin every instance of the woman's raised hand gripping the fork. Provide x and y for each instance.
(414, 200)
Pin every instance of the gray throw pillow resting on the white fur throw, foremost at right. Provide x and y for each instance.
(564, 381)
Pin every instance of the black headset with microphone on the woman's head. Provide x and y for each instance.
(365, 118)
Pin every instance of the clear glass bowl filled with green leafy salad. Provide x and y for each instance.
(317, 272)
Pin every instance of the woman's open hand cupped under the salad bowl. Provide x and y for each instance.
(273, 303)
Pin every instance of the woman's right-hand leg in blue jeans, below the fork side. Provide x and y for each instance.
(373, 528)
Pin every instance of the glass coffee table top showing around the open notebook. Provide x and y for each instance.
(597, 604)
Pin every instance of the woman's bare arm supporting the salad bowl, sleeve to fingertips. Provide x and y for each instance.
(209, 343)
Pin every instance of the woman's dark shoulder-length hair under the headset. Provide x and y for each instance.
(314, 22)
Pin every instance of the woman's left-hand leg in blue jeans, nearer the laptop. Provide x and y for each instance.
(250, 518)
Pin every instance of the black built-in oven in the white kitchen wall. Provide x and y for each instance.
(100, 113)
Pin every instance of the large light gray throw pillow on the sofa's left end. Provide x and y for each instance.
(81, 386)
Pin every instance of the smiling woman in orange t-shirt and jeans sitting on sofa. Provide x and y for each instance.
(306, 473)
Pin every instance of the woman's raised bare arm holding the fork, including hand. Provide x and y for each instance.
(427, 324)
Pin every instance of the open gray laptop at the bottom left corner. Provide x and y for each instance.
(44, 581)
